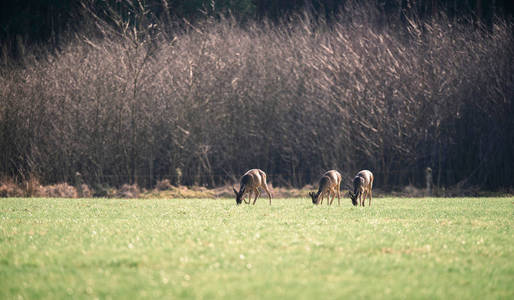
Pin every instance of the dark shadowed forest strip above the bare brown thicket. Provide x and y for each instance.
(45, 22)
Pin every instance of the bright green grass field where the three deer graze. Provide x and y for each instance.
(176, 248)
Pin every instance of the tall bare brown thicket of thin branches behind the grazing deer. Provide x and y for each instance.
(139, 97)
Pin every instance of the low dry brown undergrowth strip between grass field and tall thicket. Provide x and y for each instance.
(164, 189)
